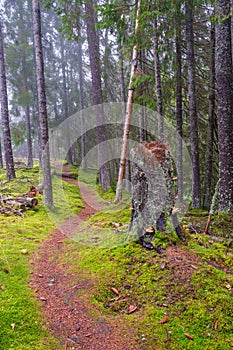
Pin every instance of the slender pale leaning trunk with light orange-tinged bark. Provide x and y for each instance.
(128, 114)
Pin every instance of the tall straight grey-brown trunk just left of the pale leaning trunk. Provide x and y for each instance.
(93, 46)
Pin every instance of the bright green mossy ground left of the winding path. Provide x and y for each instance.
(21, 323)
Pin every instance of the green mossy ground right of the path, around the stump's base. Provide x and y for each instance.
(198, 304)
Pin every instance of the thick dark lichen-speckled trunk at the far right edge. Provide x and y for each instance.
(224, 81)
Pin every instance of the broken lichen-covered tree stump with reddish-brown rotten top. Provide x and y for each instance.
(153, 194)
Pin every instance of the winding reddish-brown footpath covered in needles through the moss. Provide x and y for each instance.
(68, 315)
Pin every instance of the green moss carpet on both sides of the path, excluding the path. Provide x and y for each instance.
(182, 296)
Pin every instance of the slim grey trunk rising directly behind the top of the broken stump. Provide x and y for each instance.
(158, 82)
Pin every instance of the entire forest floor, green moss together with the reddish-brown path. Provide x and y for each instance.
(99, 291)
